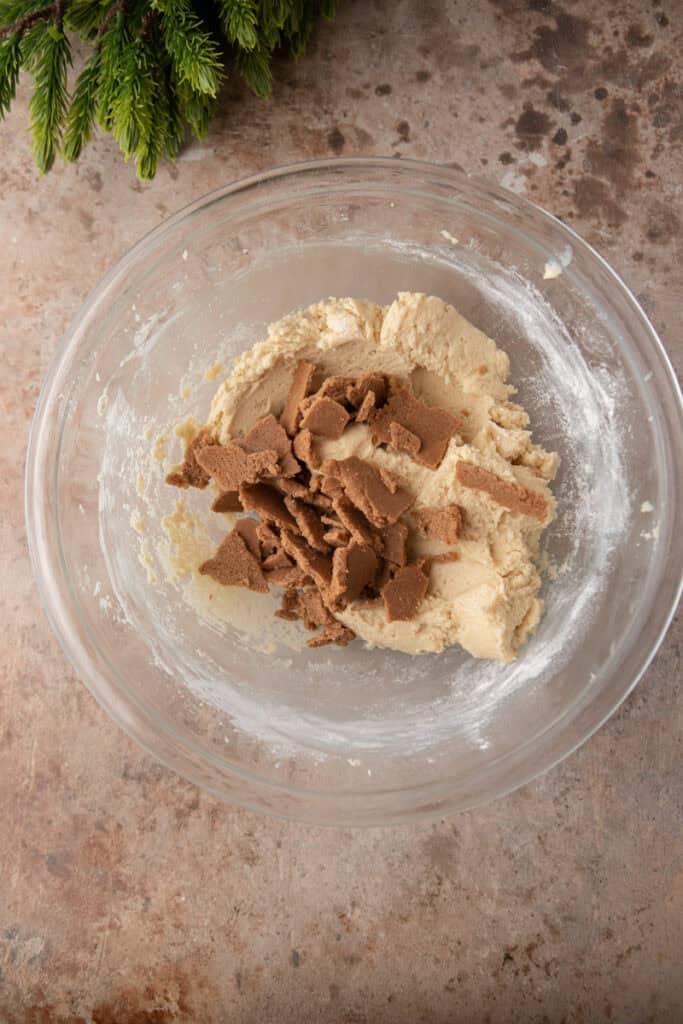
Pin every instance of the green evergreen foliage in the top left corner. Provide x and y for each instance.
(154, 68)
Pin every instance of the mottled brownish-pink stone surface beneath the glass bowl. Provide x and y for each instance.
(130, 898)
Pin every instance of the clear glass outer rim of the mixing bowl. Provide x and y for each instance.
(258, 793)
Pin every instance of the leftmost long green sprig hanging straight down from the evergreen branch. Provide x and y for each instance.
(51, 60)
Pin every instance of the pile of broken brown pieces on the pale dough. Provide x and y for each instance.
(330, 533)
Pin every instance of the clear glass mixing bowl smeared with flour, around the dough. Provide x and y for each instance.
(357, 736)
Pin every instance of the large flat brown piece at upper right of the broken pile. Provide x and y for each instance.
(435, 428)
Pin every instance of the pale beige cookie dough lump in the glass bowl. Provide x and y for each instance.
(488, 600)
